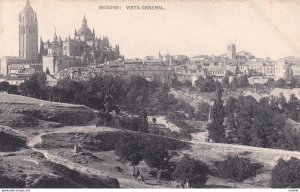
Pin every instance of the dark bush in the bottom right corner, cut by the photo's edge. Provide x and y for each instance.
(286, 174)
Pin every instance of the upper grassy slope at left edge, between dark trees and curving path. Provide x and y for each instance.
(18, 111)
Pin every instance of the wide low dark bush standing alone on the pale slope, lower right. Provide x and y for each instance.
(236, 168)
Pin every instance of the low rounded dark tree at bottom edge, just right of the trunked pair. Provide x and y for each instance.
(191, 171)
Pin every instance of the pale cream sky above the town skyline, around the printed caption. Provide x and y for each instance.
(266, 28)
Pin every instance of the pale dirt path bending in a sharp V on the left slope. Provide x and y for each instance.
(124, 183)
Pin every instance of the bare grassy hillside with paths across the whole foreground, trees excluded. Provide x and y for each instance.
(48, 159)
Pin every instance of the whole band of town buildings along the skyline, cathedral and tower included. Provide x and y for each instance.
(85, 56)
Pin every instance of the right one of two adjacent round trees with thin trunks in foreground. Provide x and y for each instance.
(156, 156)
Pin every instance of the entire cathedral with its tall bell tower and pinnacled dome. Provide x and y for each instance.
(55, 55)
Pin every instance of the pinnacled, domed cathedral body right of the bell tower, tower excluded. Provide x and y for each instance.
(81, 50)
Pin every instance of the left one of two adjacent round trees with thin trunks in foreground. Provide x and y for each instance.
(129, 149)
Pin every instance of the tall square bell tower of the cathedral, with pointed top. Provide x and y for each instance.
(28, 34)
